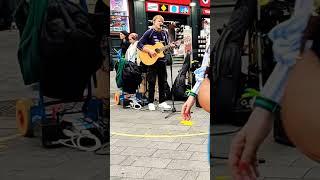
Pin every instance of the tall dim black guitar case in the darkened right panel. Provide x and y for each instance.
(227, 62)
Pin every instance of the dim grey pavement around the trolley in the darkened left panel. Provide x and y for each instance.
(25, 158)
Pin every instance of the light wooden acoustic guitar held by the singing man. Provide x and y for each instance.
(159, 48)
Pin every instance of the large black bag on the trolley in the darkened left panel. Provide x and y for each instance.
(70, 50)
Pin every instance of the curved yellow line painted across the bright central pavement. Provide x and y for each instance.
(159, 135)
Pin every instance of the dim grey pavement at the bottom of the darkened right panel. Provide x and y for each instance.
(282, 161)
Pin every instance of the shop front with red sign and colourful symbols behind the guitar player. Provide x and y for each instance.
(136, 16)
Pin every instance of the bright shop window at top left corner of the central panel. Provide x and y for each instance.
(119, 16)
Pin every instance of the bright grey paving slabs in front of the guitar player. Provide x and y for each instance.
(139, 152)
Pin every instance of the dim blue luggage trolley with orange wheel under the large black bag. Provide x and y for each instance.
(46, 116)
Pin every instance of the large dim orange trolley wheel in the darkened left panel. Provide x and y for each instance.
(23, 117)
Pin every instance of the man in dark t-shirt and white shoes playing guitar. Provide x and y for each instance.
(151, 37)
